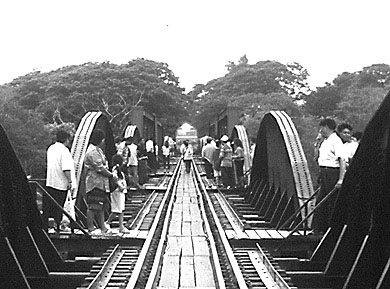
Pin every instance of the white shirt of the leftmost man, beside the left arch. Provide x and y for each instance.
(59, 160)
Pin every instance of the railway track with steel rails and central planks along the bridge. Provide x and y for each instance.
(175, 255)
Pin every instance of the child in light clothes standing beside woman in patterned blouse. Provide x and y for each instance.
(118, 197)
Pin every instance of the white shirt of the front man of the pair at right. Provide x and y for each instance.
(330, 151)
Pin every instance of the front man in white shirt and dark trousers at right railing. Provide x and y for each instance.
(332, 169)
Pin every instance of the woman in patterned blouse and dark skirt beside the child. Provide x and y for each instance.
(97, 184)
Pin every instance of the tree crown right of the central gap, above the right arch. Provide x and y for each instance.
(262, 78)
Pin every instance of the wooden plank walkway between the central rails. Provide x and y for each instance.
(186, 260)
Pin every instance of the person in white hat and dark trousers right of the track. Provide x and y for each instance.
(226, 156)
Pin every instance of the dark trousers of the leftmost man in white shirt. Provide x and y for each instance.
(52, 210)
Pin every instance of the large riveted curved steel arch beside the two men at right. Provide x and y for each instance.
(279, 158)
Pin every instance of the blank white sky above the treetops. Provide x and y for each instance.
(195, 38)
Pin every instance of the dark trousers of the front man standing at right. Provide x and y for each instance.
(323, 215)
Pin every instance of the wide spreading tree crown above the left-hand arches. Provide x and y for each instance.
(114, 89)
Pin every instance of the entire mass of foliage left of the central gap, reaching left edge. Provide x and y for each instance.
(42, 102)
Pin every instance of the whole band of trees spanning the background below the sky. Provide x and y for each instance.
(60, 98)
